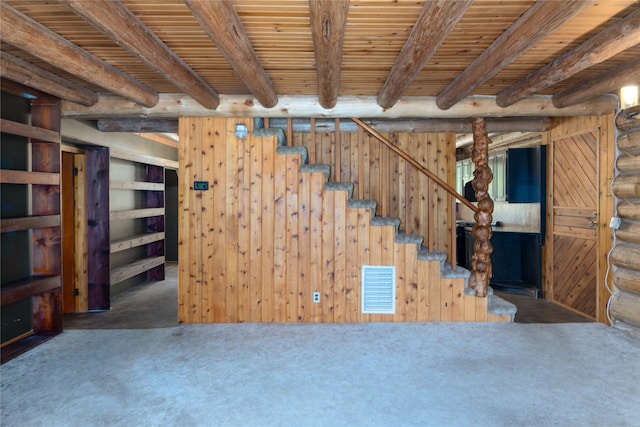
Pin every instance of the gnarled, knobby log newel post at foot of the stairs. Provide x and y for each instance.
(481, 270)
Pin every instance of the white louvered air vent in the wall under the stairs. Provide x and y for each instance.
(378, 289)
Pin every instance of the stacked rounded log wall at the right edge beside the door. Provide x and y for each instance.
(625, 302)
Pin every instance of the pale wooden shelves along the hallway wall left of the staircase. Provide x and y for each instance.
(152, 214)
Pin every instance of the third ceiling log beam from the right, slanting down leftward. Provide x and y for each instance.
(535, 24)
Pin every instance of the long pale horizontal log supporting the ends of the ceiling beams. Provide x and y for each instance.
(174, 105)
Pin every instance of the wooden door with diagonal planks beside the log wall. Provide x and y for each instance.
(574, 230)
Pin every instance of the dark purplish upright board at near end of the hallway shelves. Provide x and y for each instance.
(98, 244)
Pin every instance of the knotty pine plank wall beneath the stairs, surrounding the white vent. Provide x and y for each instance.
(266, 236)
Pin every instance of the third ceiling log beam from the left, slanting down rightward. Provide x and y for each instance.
(115, 21)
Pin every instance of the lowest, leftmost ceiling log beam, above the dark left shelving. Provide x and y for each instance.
(22, 72)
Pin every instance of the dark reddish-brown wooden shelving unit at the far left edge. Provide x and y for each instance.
(42, 182)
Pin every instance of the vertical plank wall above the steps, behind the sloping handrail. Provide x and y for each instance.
(380, 175)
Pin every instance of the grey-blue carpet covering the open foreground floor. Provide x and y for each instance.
(328, 375)
